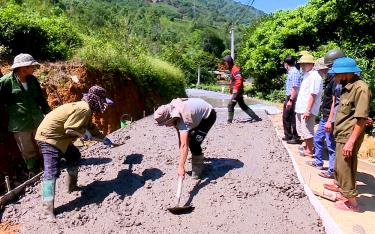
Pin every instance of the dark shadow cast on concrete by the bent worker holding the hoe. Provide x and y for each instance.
(217, 168)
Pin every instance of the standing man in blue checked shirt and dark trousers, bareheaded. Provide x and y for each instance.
(292, 84)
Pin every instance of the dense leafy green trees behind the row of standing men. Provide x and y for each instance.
(318, 26)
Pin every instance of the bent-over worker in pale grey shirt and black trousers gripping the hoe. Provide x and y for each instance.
(193, 118)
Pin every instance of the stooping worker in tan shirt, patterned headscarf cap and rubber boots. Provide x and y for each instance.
(55, 142)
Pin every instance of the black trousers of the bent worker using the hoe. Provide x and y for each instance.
(197, 135)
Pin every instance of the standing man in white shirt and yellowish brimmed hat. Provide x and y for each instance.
(308, 103)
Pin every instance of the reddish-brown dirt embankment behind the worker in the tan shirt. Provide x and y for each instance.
(65, 82)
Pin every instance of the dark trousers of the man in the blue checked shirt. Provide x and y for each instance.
(289, 121)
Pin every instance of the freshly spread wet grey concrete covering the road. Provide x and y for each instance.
(249, 186)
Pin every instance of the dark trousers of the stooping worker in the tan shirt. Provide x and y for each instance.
(52, 159)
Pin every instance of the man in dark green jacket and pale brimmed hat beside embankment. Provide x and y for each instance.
(20, 91)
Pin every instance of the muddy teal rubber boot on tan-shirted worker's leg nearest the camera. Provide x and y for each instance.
(48, 196)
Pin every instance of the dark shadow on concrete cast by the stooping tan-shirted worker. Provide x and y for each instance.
(125, 184)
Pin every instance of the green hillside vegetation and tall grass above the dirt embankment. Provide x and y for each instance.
(159, 44)
